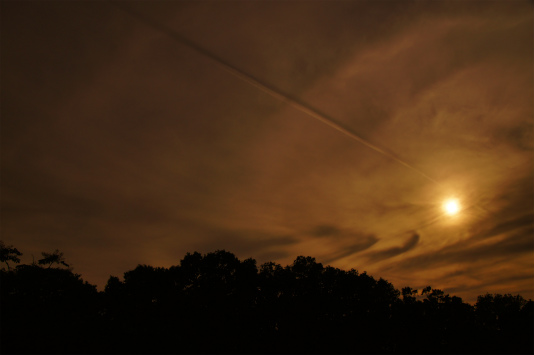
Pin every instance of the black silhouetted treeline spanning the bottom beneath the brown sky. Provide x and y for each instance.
(215, 303)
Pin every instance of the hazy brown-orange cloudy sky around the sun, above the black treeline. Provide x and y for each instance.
(134, 132)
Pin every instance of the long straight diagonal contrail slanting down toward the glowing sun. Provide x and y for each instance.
(274, 92)
